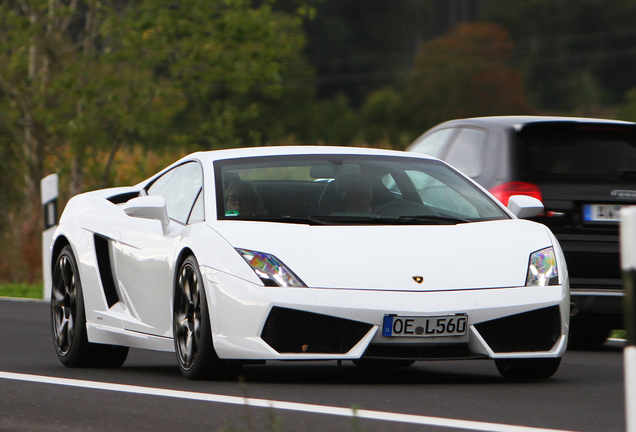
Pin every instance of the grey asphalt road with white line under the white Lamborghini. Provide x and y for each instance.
(149, 394)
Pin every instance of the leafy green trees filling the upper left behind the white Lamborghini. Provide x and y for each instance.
(85, 78)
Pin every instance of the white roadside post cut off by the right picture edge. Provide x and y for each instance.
(628, 264)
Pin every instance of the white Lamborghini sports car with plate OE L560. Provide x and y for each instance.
(247, 255)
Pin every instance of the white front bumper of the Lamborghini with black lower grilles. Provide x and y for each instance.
(252, 322)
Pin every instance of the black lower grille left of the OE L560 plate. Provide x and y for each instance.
(294, 331)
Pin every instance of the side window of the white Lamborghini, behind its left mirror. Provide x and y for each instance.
(180, 187)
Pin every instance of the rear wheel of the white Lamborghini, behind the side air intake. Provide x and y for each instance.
(68, 320)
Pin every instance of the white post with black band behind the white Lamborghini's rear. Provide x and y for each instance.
(49, 192)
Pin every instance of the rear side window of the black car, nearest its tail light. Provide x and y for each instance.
(467, 152)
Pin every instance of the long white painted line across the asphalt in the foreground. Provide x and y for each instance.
(264, 403)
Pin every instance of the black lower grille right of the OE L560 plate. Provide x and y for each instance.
(536, 330)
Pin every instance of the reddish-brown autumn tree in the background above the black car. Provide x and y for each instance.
(466, 73)
